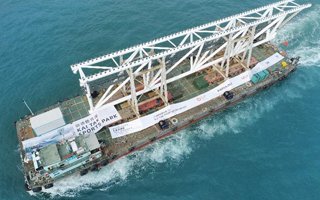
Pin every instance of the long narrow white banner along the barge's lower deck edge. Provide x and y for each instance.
(178, 108)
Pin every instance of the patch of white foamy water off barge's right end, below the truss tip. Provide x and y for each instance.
(303, 36)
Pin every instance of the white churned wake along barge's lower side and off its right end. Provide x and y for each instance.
(304, 41)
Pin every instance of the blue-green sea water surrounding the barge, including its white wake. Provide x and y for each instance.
(267, 147)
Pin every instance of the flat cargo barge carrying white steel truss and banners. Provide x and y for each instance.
(148, 92)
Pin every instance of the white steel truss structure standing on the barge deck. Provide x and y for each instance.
(149, 66)
